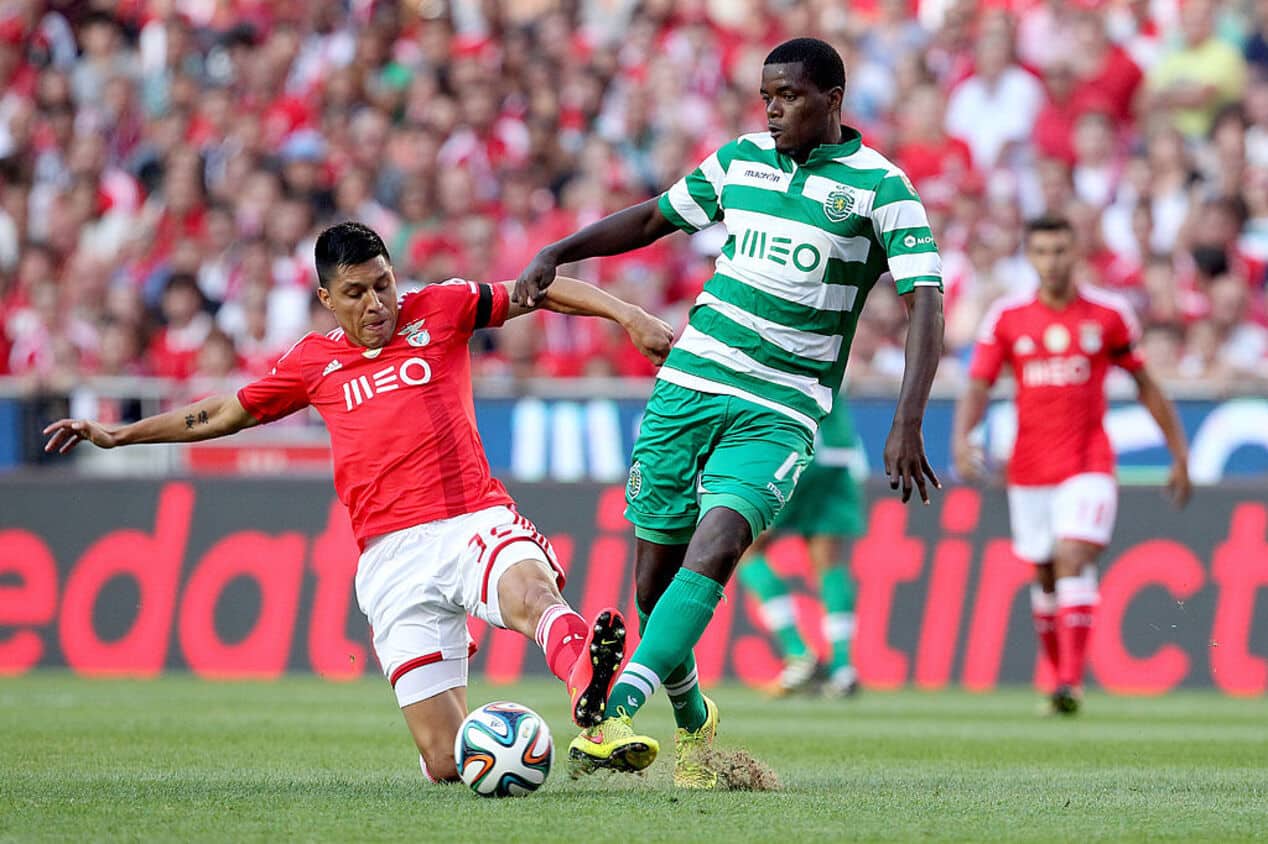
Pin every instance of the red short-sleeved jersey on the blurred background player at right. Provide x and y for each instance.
(1059, 361)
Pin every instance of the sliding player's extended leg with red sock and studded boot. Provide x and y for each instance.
(586, 657)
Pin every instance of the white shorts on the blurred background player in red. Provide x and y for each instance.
(1082, 509)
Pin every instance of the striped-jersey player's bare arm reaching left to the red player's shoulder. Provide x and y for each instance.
(627, 230)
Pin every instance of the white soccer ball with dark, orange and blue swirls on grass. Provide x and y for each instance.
(504, 751)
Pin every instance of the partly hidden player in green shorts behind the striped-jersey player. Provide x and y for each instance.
(827, 511)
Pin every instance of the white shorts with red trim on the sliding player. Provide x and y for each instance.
(418, 586)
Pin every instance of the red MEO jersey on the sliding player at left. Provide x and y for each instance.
(401, 419)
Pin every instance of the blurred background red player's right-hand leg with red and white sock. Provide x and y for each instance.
(1075, 568)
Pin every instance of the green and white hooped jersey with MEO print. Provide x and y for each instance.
(807, 244)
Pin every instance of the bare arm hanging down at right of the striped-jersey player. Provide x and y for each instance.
(905, 451)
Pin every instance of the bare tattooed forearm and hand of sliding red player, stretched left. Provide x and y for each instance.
(217, 416)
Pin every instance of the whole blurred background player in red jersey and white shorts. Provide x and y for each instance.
(1059, 343)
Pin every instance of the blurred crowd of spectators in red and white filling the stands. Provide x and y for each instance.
(165, 165)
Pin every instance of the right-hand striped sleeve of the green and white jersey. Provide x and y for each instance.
(903, 230)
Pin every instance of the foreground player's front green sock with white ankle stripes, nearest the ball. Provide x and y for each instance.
(673, 630)
